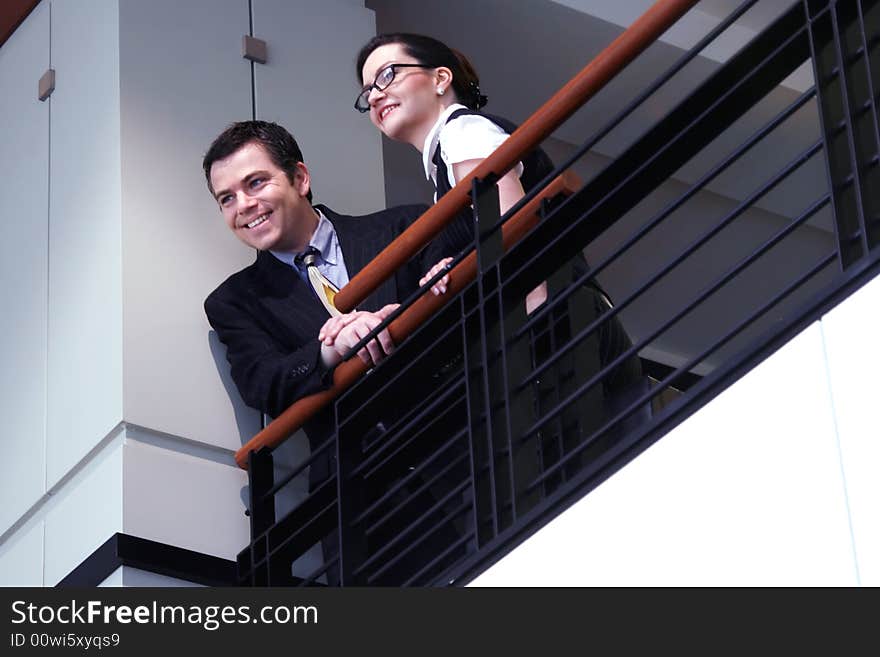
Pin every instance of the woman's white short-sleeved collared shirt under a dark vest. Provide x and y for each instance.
(467, 137)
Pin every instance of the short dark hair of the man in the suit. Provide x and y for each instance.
(278, 142)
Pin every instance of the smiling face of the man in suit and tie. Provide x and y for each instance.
(260, 204)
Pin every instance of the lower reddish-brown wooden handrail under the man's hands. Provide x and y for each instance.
(412, 318)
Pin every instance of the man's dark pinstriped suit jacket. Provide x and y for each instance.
(269, 319)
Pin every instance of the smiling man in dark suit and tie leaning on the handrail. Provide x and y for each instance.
(268, 315)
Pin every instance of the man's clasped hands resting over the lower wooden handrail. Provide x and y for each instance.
(340, 334)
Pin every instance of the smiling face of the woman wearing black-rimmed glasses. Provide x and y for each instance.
(408, 107)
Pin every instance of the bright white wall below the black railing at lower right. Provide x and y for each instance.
(773, 483)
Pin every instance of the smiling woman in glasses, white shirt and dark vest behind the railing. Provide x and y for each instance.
(419, 91)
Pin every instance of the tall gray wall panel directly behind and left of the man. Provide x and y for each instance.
(183, 80)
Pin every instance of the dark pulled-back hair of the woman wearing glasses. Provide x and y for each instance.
(431, 52)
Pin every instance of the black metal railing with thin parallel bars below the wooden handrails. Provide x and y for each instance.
(728, 226)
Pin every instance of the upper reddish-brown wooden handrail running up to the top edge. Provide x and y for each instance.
(595, 75)
